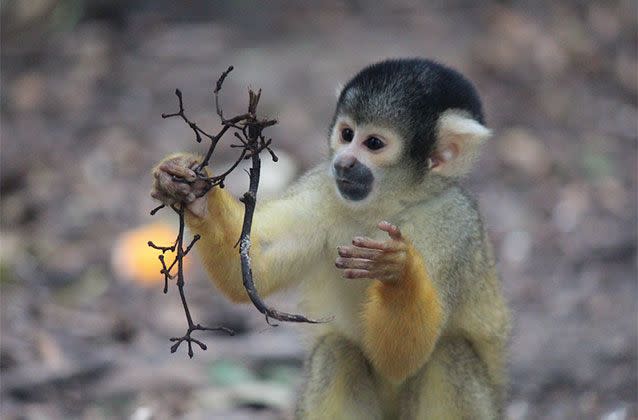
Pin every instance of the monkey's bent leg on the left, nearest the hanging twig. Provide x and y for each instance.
(339, 383)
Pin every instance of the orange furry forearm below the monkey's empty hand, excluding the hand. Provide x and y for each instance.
(402, 321)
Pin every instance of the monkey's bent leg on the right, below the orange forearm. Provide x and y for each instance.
(453, 384)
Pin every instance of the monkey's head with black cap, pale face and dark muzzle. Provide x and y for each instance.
(398, 122)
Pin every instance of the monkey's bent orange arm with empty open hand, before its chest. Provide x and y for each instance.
(404, 312)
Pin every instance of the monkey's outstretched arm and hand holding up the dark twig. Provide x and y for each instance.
(283, 241)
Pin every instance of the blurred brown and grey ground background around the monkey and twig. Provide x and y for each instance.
(85, 325)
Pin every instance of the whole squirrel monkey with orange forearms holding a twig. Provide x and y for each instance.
(382, 238)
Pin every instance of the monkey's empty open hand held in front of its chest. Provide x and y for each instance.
(370, 259)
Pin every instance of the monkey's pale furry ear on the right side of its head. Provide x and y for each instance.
(459, 140)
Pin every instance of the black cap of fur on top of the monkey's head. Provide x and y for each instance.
(408, 96)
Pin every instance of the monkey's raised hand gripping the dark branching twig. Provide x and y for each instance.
(175, 181)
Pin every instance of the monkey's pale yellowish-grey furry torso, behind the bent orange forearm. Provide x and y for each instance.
(456, 253)
